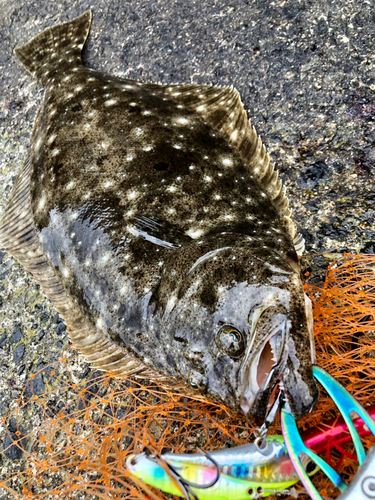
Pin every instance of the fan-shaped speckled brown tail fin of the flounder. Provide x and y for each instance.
(55, 48)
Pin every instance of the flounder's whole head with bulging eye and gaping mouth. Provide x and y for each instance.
(246, 326)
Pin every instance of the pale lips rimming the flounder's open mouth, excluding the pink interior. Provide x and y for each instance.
(255, 398)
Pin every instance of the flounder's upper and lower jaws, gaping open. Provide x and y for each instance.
(282, 362)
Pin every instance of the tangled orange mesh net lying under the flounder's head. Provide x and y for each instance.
(83, 430)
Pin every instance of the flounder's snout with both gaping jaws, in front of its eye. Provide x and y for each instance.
(280, 353)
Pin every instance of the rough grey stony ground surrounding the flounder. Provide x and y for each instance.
(306, 73)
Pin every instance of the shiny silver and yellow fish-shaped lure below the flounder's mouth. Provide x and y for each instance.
(246, 471)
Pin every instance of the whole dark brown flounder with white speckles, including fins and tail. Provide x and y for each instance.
(152, 217)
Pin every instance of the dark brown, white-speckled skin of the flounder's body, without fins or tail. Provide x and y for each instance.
(129, 189)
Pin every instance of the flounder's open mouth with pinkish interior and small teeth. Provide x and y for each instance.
(264, 374)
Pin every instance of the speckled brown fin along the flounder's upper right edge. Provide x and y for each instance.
(222, 109)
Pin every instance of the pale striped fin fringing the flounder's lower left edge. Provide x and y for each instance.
(19, 237)
